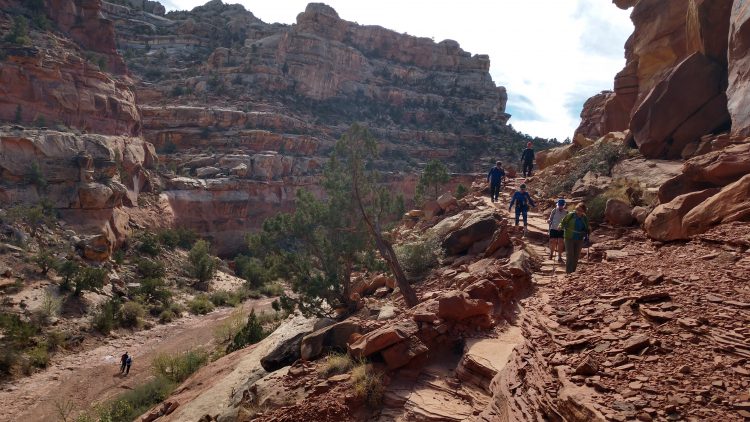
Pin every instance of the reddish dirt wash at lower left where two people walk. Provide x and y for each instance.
(91, 376)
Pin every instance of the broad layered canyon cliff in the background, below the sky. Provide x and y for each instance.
(244, 113)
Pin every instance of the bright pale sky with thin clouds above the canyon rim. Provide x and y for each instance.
(551, 55)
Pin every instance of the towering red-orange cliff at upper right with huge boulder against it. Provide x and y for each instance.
(676, 47)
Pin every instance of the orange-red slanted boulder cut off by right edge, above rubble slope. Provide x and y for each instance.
(732, 203)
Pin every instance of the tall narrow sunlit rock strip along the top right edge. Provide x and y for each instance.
(739, 61)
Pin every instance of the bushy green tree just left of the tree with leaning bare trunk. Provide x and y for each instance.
(316, 248)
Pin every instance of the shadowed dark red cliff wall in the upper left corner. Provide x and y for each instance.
(50, 80)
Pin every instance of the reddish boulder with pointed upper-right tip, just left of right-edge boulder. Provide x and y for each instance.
(665, 222)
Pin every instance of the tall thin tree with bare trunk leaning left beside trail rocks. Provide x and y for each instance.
(354, 185)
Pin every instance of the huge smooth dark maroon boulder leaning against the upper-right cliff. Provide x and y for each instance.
(688, 103)
